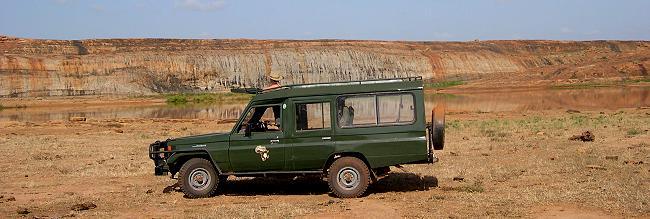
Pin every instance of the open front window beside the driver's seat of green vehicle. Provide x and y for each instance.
(262, 119)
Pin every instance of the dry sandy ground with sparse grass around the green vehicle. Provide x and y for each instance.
(505, 165)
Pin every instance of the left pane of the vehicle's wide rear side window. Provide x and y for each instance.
(357, 111)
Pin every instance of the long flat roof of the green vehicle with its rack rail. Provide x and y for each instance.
(345, 87)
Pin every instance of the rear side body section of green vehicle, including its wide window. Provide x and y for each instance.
(383, 127)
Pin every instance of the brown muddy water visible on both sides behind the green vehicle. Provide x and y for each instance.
(520, 101)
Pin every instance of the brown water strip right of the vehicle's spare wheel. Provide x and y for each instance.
(610, 98)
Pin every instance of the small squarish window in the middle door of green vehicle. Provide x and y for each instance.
(312, 116)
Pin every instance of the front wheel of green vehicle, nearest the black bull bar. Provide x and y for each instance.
(198, 179)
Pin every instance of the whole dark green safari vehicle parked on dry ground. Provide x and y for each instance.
(349, 132)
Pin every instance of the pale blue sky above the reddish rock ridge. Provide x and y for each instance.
(410, 20)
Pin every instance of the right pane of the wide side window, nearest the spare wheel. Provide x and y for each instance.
(396, 108)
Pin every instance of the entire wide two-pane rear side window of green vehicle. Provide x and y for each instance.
(375, 110)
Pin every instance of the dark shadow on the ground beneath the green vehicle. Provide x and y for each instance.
(315, 185)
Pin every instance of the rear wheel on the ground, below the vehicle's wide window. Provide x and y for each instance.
(348, 177)
